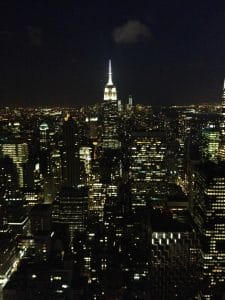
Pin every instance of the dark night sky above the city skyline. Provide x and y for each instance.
(55, 52)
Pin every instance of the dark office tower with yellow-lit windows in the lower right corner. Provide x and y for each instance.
(207, 185)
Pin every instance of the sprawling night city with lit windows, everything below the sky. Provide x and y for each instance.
(97, 199)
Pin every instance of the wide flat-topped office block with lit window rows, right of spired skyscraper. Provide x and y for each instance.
(147, 168)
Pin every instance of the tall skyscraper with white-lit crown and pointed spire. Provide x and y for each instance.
(110, 115)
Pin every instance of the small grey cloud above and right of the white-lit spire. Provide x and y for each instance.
(133, 31)
